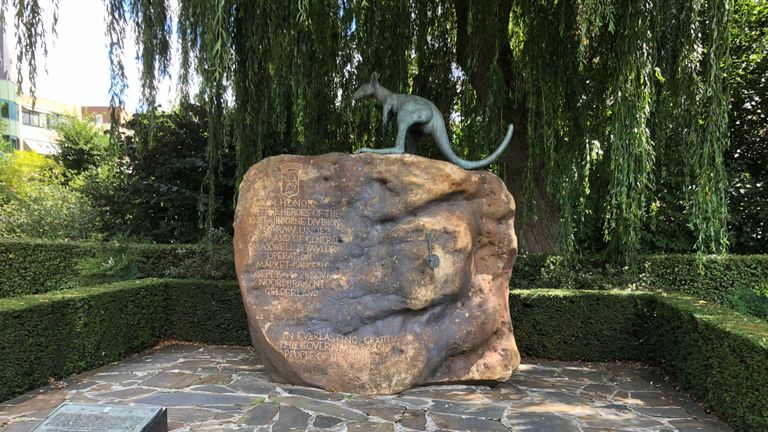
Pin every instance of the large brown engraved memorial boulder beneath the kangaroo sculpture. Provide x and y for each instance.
(331, 254)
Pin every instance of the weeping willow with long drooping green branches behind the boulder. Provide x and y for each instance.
(620, 106)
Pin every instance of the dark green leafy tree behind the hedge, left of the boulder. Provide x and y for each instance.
(154, 192)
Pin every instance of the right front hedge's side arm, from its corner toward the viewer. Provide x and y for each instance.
(720, 356)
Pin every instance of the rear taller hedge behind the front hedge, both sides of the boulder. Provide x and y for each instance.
(34, 267)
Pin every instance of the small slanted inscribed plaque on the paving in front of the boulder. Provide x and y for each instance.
(70, 417)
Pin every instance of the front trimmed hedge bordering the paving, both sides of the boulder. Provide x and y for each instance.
(718, 355)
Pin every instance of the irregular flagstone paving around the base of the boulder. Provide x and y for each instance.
(212, 388)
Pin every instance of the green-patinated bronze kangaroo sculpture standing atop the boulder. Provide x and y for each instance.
(416, 117)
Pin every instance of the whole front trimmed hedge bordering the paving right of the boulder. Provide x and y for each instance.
(718, 355)
